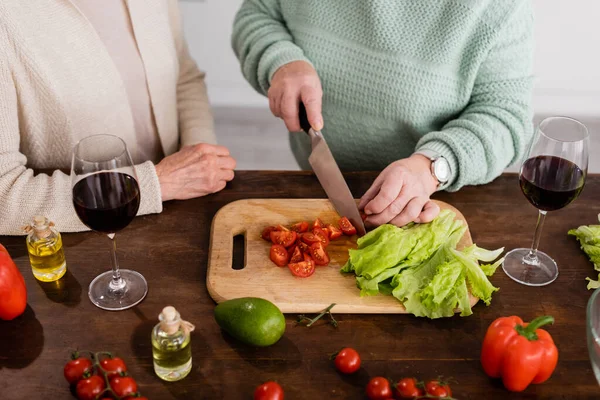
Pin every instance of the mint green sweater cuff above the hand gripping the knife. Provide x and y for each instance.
(276, 56)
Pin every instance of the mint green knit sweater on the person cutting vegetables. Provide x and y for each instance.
(454, 76)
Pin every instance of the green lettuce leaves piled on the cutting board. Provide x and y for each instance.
(420, 266)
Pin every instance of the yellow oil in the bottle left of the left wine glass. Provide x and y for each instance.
(47, 259)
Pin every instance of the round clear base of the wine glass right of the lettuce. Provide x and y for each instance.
(544, 273)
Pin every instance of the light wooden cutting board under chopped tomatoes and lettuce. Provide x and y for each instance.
(261, 278)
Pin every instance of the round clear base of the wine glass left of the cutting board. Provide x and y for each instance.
(133, 292)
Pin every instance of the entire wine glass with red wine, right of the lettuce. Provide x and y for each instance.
(552, 176)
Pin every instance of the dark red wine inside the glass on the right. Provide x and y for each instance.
(550, 182)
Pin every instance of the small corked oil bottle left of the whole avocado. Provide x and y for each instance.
(171, 347)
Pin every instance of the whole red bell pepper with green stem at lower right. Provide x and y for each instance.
(518, 352)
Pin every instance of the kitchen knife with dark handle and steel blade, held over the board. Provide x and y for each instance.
(327, 171)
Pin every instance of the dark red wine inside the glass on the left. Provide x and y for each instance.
(107, 201)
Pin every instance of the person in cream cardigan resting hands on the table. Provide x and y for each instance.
(74, 68)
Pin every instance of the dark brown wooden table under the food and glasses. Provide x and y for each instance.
(170, 250)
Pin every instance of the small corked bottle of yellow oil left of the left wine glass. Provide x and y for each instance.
(46, 254)
